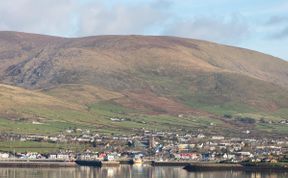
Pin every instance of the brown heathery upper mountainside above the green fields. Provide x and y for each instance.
(183, 73)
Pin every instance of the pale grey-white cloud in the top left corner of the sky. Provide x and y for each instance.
(45, 16)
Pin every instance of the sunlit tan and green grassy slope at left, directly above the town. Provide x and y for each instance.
(58, 116)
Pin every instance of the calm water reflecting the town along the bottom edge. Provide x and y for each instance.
(127, 172)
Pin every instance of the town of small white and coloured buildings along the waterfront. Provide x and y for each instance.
(154, 146)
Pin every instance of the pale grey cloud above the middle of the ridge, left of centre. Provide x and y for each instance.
(120, 19)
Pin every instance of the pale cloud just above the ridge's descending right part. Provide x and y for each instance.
(231, 30)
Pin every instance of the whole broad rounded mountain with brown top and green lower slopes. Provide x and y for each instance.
(164, 81)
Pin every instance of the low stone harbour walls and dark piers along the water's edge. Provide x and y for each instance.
(187, 165)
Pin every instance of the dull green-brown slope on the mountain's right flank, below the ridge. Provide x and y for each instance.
(222, 93)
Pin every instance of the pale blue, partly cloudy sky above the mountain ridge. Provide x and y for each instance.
(260, 25)
